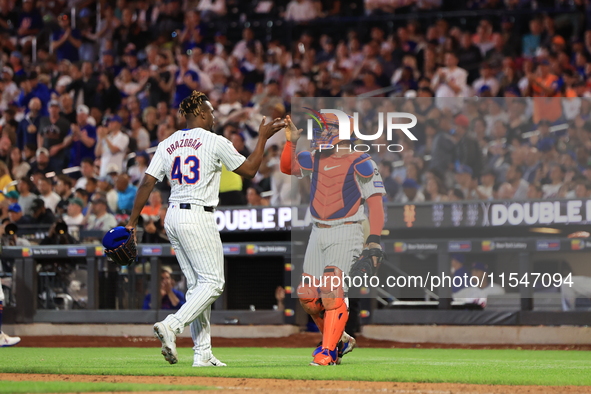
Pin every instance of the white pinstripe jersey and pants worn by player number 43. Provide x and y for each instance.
(192, 160)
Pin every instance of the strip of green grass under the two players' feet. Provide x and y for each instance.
(514, 367)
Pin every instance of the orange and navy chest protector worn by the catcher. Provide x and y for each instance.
(334, 192)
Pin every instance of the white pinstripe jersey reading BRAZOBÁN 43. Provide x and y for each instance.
(192, 160)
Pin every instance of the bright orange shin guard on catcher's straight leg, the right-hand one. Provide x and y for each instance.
(336, 312)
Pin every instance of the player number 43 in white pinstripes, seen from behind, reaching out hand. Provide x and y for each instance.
(192, 159)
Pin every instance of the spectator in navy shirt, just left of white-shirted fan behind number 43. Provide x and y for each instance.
(82, 137)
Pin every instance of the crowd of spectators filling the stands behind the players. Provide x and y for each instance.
(97, 95)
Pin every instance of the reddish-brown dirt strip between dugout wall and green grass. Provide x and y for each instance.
(296, 340)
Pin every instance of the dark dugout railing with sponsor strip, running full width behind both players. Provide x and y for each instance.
(523, 250)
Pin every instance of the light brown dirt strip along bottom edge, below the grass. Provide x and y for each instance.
(300, 386)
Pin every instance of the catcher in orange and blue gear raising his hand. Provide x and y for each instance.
(342, 180)
